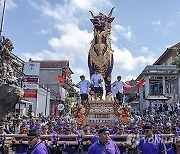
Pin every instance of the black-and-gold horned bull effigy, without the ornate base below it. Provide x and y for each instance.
(101, 54)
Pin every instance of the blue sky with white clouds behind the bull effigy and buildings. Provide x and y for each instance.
(61, 30)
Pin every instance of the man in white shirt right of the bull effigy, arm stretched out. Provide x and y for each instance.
(119, 88)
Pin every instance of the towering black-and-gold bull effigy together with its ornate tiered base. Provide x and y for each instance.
(95, 111)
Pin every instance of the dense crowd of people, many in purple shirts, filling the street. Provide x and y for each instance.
(102, 138)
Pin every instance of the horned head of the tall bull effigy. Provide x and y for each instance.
(101, 20)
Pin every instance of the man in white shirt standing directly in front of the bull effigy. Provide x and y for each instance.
(96, 81)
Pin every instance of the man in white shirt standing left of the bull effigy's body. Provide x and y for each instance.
(84, 86)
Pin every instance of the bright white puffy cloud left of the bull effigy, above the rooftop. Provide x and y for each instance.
(69, 46)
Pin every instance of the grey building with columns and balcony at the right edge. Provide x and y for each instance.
(162, 82)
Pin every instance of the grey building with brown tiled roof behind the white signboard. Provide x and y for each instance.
(49, 74)
